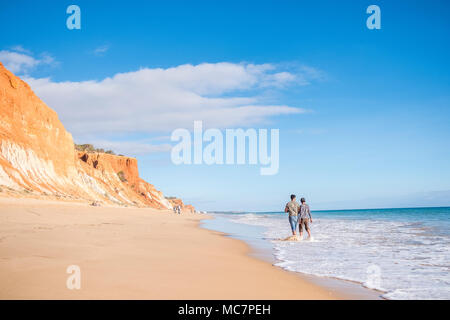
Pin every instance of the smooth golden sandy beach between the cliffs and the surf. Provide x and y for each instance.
(131, 253)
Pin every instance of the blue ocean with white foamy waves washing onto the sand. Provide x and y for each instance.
(402, 252)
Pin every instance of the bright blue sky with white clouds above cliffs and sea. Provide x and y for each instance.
(363, 114)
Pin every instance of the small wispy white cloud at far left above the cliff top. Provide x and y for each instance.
(19, 60)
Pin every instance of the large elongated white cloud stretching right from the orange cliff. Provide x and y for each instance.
(159, 100)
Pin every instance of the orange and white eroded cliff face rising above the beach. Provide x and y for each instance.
(37, 155)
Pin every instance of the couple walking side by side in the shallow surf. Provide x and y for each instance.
(299, 215)
